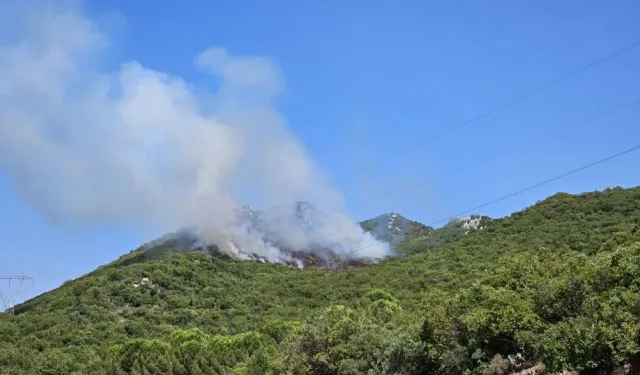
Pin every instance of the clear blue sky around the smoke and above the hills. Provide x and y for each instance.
(365, 79)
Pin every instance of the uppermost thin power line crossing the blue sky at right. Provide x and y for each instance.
(495, 109)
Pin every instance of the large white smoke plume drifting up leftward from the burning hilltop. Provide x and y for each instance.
(139, 146)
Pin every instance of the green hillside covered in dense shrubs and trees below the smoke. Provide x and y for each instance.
(555, 285)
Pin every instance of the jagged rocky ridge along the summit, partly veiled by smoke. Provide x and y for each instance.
(305, 221)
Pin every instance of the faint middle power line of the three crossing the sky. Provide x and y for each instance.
(529, 142)
